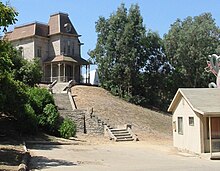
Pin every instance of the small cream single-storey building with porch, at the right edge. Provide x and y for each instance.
(196, 119)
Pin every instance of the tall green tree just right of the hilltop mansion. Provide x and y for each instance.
(119, 51)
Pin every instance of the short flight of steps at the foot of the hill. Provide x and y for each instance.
(121, 135)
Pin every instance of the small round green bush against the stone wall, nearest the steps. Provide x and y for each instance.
(67, 129)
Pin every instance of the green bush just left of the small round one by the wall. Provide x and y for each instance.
(49, 119)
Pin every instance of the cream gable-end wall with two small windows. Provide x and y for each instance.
(191, 138)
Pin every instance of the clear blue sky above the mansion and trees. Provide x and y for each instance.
(158, 15)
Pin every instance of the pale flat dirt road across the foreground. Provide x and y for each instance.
(110, 156)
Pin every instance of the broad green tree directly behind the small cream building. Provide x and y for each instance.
(188, 44)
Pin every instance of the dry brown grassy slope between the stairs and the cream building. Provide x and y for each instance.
(145, 123)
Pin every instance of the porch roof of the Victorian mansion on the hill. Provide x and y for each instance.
(62, 58)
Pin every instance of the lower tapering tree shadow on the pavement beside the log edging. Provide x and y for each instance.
(40, 162)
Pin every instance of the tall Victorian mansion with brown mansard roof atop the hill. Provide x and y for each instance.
(57, 45)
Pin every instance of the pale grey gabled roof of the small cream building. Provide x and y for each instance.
(205, 101)
